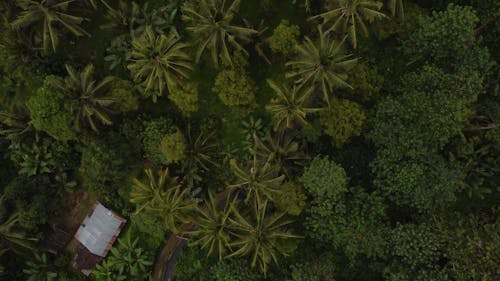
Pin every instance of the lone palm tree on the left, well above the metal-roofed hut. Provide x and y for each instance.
(89, 102)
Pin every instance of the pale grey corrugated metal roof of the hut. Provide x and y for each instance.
(99, 230)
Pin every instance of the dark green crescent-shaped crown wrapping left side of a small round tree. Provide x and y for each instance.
(152, 135)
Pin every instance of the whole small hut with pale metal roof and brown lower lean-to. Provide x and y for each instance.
(96, 235)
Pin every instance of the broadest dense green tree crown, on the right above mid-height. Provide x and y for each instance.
(432, 107)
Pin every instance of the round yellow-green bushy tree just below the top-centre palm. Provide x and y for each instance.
(235, 87)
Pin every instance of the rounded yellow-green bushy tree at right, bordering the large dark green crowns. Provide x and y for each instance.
(342, 120)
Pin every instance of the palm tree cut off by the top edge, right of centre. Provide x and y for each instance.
(349, 16)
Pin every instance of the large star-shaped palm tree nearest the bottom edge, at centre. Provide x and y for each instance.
(259, 236)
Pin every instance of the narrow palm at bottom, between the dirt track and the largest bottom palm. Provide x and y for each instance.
(212, 227)
